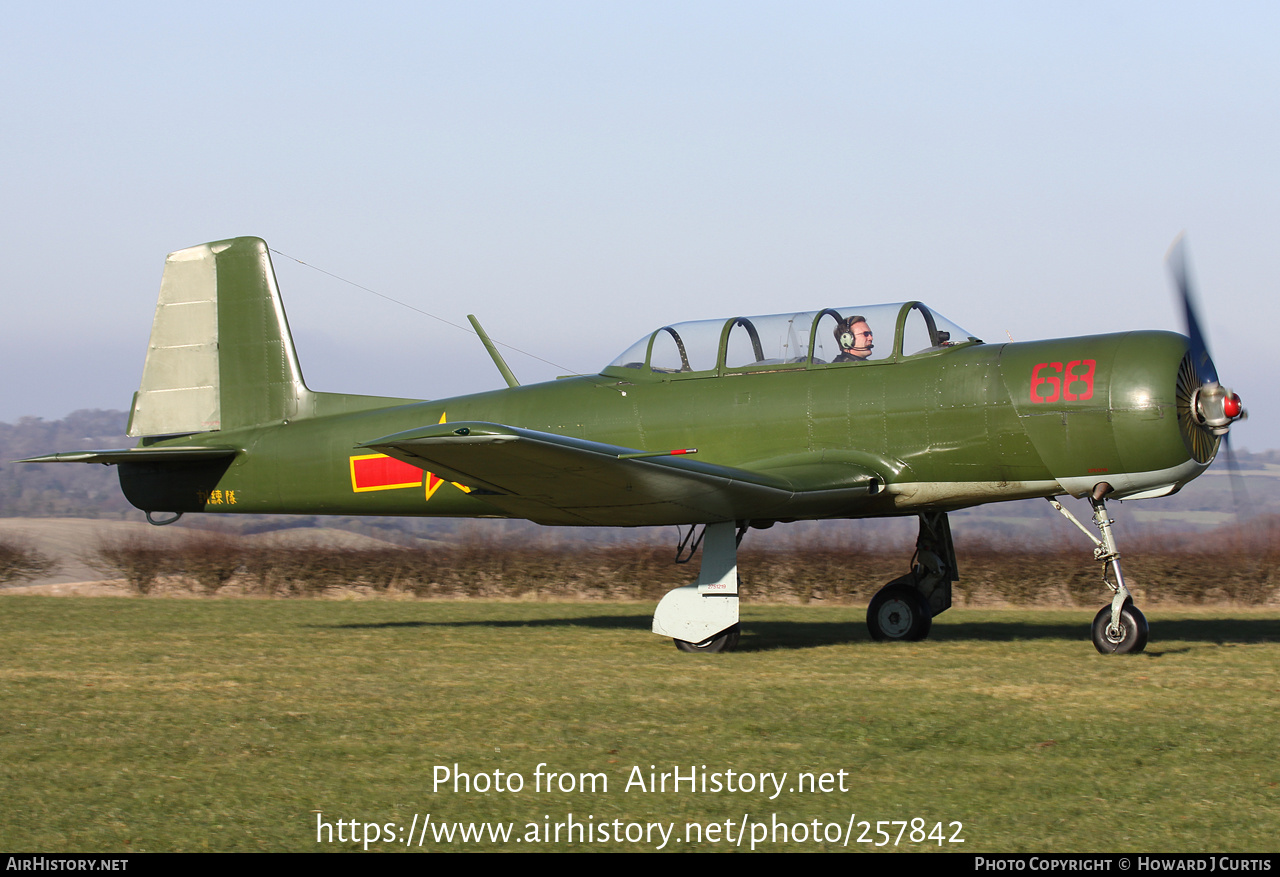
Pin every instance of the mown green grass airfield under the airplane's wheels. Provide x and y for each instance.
(136, 725)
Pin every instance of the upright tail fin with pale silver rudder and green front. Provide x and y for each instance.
(221, 354)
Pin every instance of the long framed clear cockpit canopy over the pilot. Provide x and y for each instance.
(790, 341)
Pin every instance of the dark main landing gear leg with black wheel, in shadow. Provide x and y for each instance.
(904, 609)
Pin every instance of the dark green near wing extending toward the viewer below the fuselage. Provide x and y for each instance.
(556, 479)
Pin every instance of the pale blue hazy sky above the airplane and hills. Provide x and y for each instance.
(579, 175)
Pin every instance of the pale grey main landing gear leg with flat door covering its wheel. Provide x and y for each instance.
(703, 616)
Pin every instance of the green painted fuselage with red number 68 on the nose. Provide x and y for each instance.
(945, 430)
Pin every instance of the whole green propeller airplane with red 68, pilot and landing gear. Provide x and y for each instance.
(729, 424)
